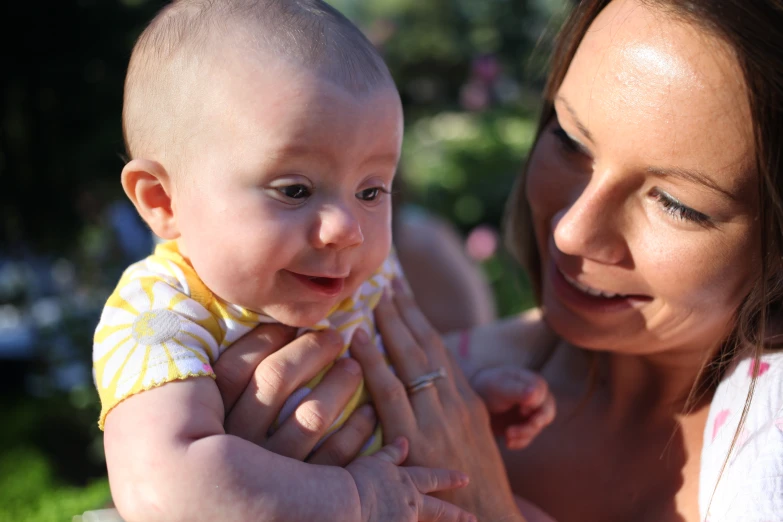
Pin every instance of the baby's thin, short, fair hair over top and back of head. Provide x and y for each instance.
(177, 46)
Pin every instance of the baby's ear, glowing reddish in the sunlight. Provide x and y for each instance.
(148, 186)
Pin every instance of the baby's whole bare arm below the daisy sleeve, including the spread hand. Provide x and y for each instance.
(170, 459)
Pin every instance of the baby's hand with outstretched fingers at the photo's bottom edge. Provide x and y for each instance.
(389, 492)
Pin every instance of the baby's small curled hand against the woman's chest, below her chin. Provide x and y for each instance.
(519, 401)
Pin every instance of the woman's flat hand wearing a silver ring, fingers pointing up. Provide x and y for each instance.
(446, 423)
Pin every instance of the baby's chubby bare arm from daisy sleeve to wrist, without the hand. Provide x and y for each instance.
(170, 459)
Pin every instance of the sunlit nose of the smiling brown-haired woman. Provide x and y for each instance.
(592, 225)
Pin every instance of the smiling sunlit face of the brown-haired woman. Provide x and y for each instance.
(642, 190)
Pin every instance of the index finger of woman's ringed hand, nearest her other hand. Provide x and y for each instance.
(388, 393)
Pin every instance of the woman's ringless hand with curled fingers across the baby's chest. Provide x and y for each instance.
(260, 372)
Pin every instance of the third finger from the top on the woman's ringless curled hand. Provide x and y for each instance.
(298, 434)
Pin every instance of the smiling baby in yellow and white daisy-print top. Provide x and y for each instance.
(264, 136)
